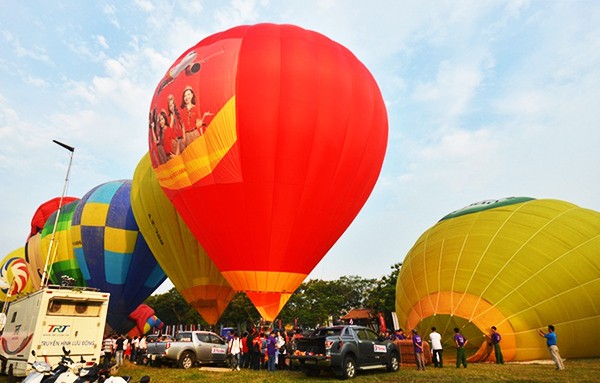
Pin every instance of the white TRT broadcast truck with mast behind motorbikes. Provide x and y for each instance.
(50, 319)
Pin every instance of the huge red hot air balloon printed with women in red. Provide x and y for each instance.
(275, 143)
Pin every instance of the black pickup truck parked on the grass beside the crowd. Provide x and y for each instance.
(345, 350)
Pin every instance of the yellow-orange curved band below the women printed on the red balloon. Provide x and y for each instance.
(200, 158)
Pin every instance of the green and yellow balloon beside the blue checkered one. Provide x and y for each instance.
(62, 260)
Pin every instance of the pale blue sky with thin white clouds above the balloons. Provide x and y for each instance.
(486, 100)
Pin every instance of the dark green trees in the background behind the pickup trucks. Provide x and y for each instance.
(314, 303)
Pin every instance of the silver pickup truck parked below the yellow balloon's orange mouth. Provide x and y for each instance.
(189, 348)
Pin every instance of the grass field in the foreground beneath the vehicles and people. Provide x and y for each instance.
(577, 370)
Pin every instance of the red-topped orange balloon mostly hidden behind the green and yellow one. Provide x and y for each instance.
(33, 255)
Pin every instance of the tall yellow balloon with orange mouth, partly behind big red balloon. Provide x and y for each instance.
(178, 252)
